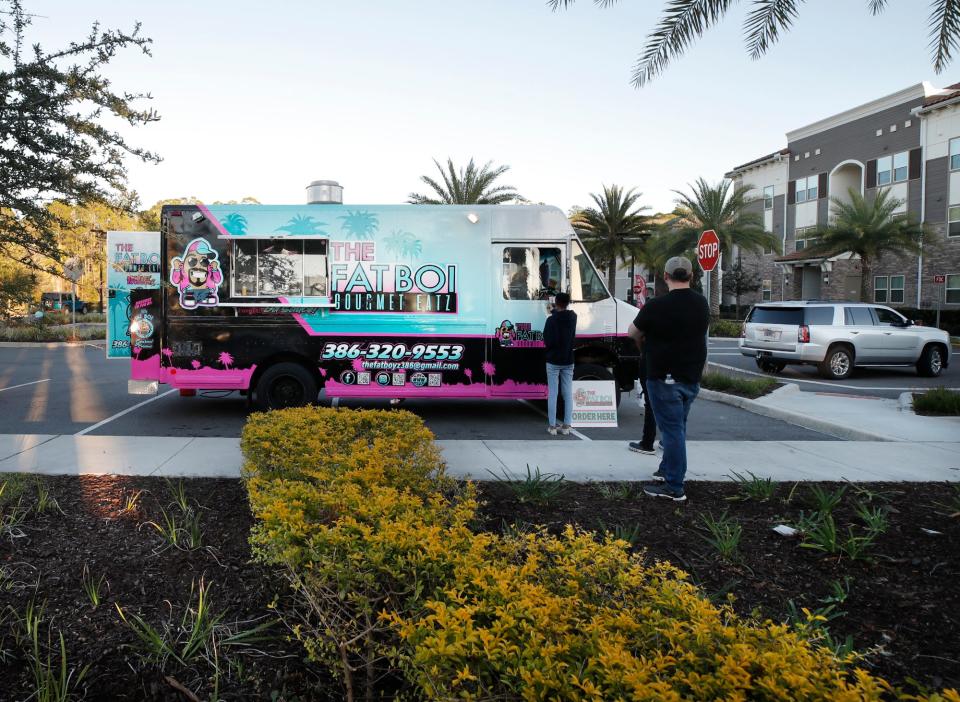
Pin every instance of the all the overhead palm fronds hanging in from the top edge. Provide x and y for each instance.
(685, 21)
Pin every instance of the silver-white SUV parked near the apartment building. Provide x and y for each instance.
(836, 336)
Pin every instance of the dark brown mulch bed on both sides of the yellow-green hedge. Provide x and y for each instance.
(905, 602)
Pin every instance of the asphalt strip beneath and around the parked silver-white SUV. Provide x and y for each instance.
(887, 381)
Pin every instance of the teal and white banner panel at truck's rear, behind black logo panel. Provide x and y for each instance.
(133, 262)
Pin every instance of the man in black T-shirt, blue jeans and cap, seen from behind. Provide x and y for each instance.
(673, 329)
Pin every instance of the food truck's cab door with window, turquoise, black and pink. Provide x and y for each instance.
(527, 276)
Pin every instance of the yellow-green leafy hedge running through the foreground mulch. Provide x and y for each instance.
(391, 579)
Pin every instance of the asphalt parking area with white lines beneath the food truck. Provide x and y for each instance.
(70, 390)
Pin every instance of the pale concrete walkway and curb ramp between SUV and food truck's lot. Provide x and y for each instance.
(854, 417)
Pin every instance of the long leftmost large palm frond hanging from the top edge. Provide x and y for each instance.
(681, 23)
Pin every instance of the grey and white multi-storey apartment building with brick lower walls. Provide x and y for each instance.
(907, 142)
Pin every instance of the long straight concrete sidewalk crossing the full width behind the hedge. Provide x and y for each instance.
(576, 460)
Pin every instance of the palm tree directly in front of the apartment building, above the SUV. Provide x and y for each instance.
(868, 228)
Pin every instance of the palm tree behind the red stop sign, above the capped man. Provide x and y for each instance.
(724, 210)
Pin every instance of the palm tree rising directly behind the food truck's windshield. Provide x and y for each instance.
(610, 229)
